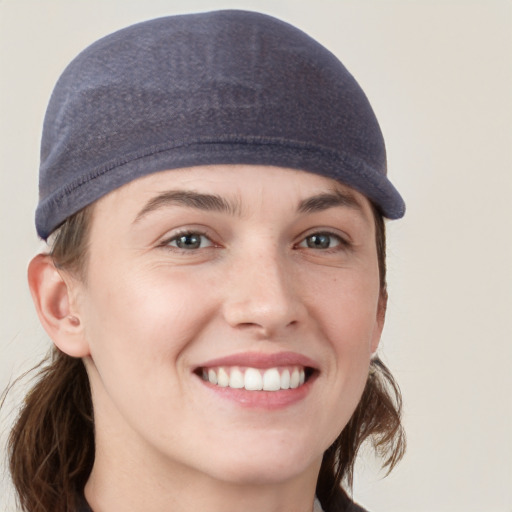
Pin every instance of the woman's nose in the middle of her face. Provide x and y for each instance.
(262, 294)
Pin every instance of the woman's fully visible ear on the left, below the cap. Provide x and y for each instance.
(54, 297)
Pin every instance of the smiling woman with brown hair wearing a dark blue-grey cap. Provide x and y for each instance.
(212, 187)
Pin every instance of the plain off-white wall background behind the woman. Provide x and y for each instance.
(439, 75)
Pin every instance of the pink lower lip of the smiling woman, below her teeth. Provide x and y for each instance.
(263, 399)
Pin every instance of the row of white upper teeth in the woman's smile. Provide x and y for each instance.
(252, 379)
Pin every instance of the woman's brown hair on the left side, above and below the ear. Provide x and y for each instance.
(51, 446)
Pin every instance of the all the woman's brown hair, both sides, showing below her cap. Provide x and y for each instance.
(51, 446)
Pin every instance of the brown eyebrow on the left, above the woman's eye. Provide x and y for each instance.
(190, 199)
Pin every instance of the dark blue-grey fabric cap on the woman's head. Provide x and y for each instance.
(222, 87)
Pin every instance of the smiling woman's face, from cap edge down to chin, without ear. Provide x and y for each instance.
(230, 313)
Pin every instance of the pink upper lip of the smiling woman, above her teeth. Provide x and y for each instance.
(261, 360)
